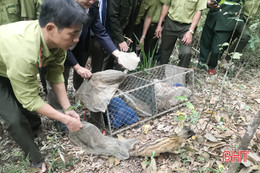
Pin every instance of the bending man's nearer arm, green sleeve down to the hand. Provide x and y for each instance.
(25, 86)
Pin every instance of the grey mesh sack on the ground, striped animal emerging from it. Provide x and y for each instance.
(93, 142)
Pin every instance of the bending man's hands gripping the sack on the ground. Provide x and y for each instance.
(74, 123)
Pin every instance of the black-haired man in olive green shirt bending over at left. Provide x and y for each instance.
(21, 45)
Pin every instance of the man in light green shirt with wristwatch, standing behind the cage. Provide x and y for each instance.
(181, 21)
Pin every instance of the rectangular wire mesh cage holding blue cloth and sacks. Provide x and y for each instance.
(147, 94)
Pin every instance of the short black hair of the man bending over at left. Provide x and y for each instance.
(63, 13)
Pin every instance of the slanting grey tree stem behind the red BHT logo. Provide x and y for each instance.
(252, 127)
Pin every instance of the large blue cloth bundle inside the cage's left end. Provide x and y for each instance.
(120, 114)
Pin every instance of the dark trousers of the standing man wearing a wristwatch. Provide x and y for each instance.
(171, 32)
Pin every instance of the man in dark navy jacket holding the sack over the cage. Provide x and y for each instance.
(77, 56)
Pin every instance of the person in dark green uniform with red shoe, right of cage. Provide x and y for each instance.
(217, 30)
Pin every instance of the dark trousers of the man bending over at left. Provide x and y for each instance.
(20, 122)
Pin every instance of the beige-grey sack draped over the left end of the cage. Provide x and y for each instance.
(97, 92)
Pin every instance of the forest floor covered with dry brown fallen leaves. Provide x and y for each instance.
(238, 104)
